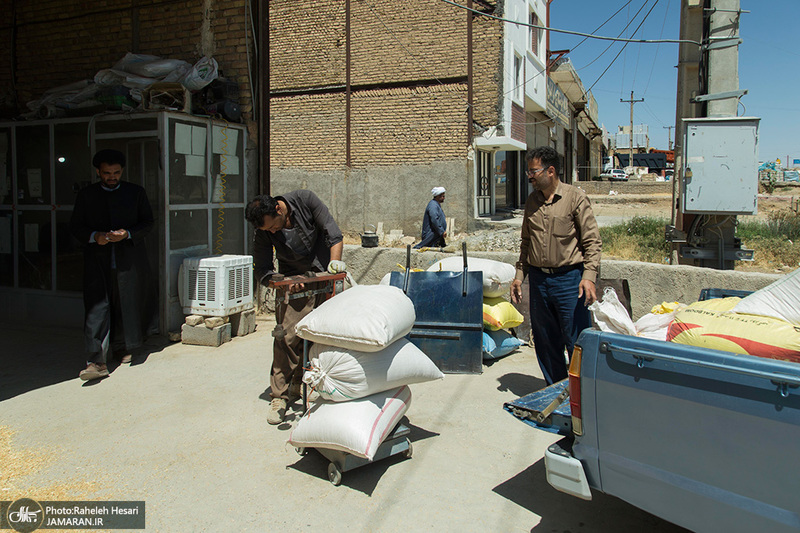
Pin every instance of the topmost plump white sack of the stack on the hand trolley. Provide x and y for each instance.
(365, 318)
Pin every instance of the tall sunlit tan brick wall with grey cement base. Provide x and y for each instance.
(374, 152)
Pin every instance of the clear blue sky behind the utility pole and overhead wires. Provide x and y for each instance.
(769, 65)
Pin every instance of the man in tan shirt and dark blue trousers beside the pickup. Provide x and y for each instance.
(560, 252)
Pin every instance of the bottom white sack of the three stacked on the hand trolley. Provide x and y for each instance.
(357, 427)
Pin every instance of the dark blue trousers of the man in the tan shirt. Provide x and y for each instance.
(557, 317)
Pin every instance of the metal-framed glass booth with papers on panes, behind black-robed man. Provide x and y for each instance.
(193, 170)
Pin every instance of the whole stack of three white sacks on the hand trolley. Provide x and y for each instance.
(359, 360)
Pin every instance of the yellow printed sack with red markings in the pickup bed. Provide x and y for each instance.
(711, 324)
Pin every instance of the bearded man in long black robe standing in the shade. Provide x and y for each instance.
(111, 218)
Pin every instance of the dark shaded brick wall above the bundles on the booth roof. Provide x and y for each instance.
(63, 41)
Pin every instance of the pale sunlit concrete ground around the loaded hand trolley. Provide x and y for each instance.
(184, 429)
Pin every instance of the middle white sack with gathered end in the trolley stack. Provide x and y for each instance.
(341, 375)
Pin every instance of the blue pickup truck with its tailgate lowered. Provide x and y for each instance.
(706, 439)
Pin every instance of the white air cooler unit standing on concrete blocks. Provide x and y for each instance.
(218, 285)
